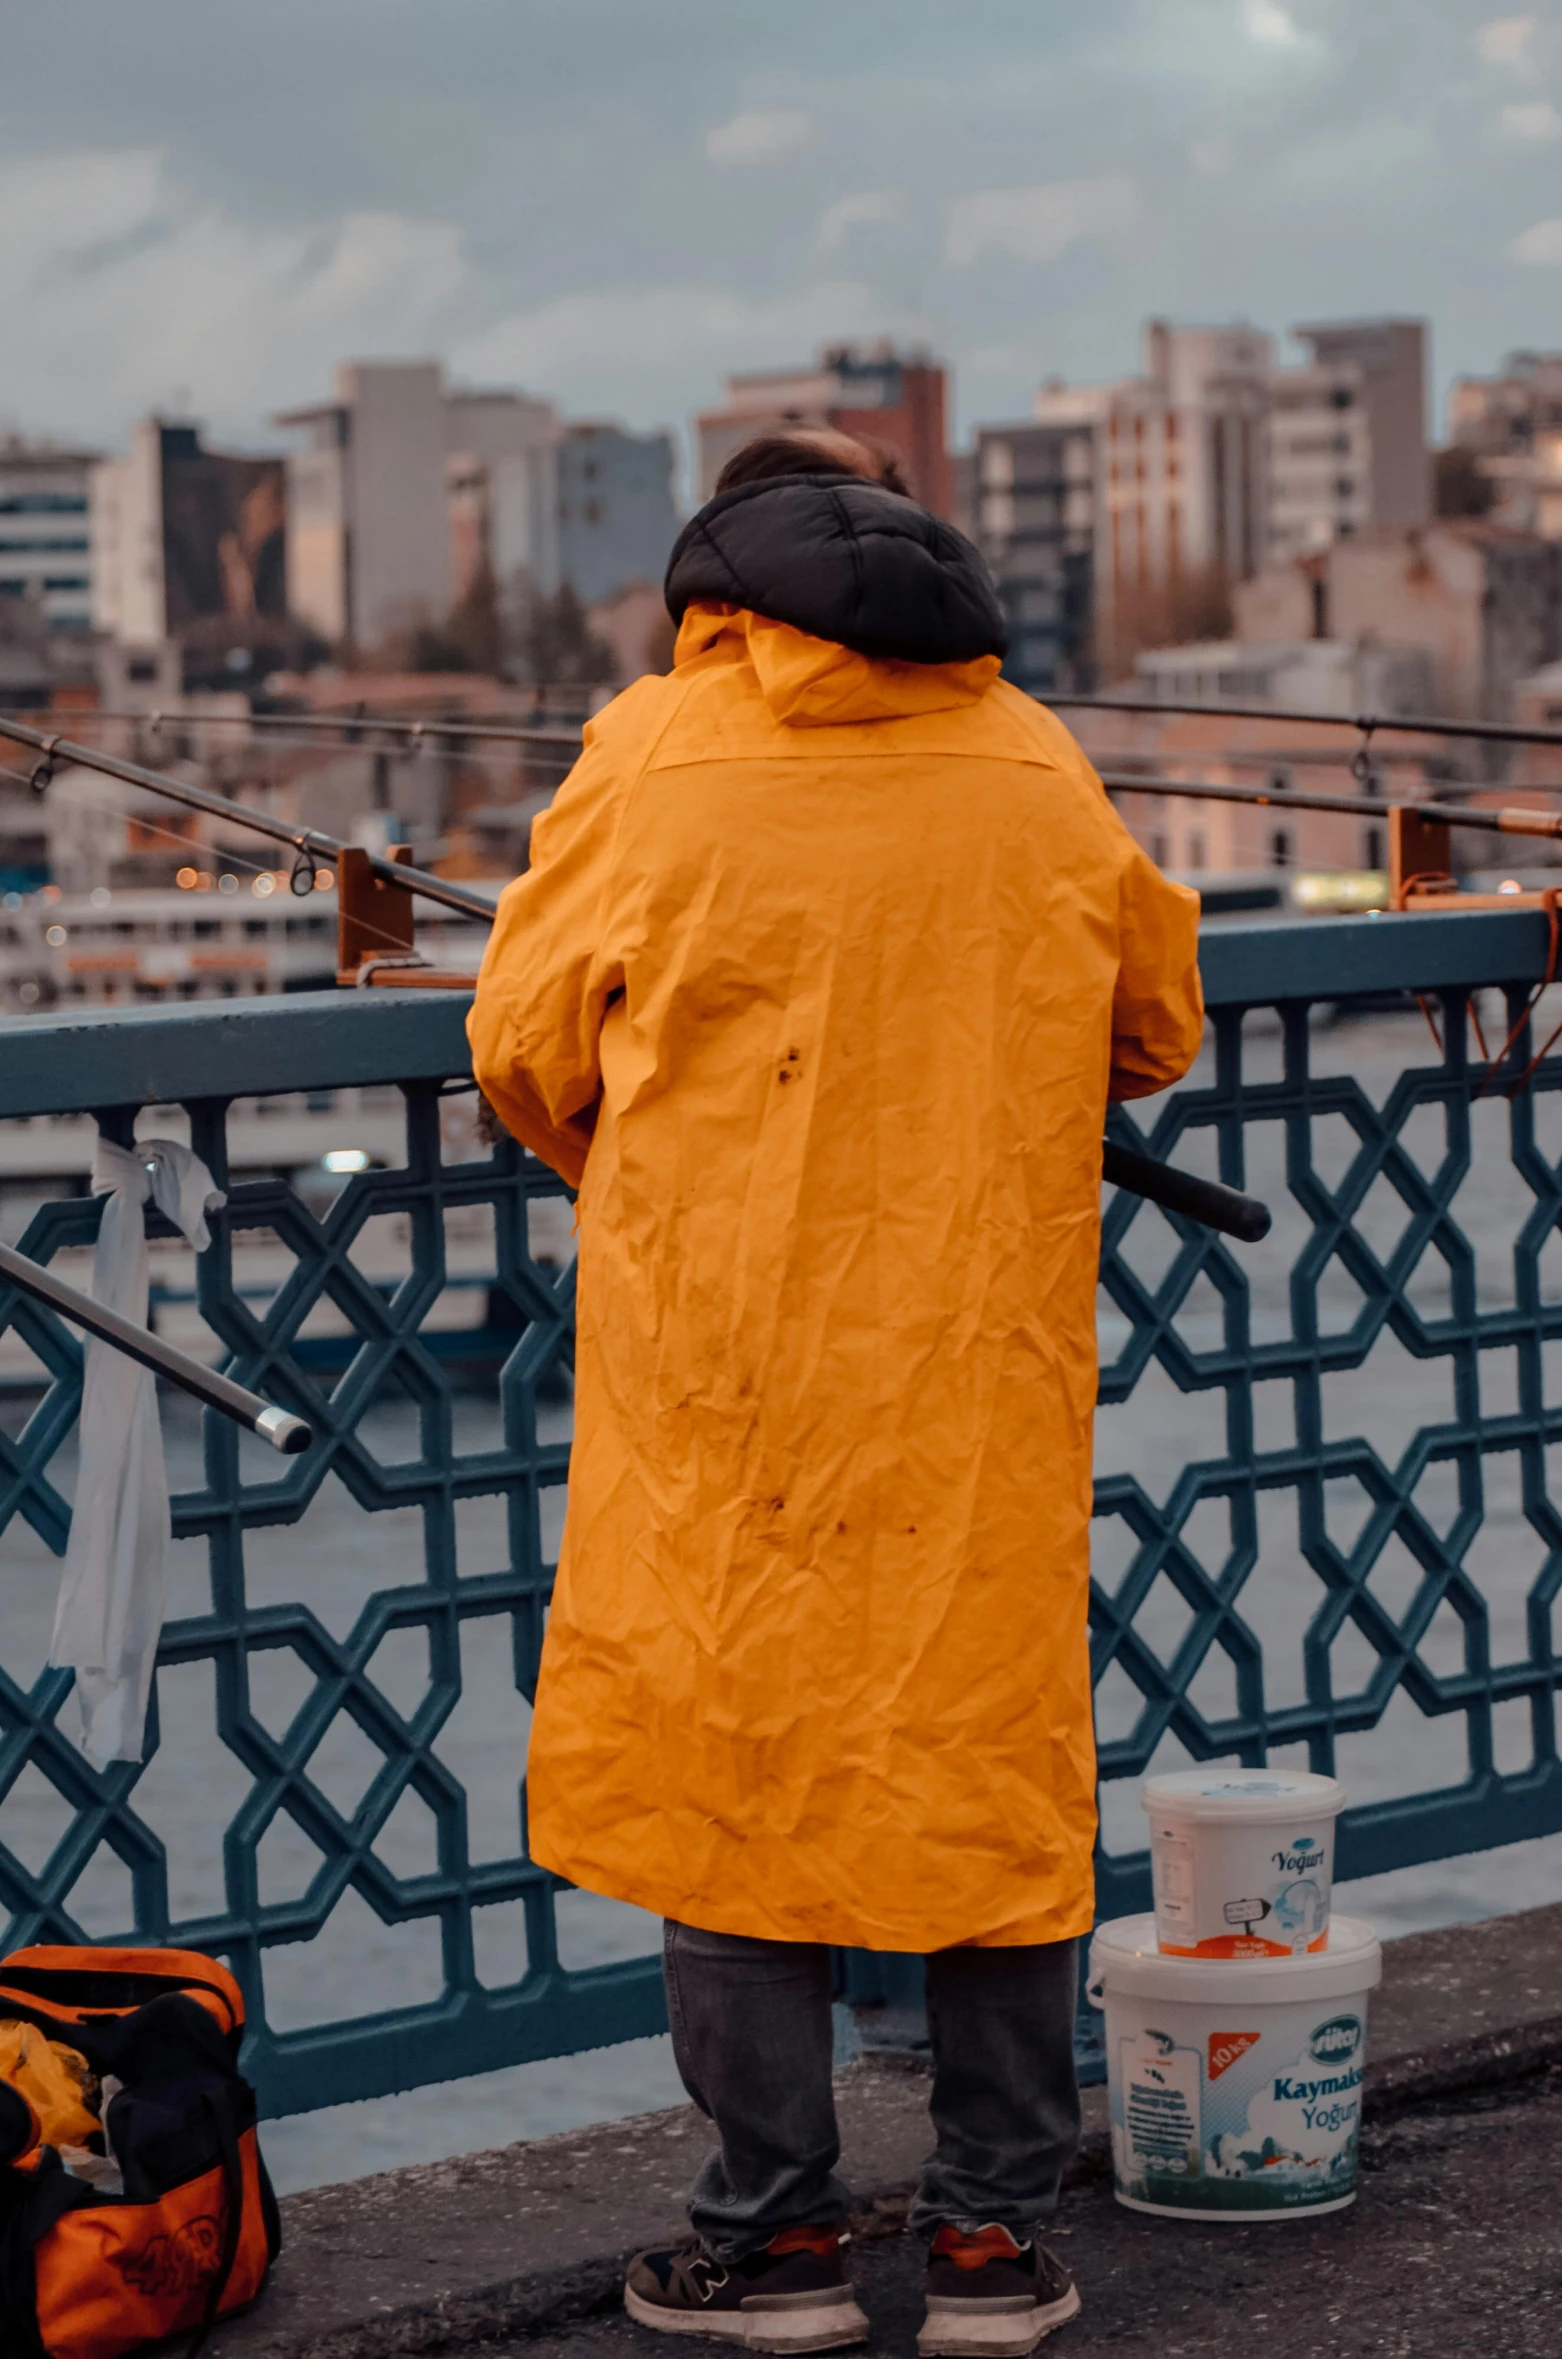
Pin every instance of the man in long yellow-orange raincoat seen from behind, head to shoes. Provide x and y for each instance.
(829, 961)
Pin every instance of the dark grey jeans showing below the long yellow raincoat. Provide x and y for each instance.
(754, 2044)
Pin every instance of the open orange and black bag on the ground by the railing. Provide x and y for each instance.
(91, 2273)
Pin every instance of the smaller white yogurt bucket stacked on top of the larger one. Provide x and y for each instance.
(1242, 1862)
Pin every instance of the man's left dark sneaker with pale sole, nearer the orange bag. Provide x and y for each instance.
(792, 2296)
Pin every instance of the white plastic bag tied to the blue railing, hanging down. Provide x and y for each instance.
(114, 1584)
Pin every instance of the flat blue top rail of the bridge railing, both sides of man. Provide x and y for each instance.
(70, 1060)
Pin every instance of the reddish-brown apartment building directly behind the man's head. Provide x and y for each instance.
(900, 400)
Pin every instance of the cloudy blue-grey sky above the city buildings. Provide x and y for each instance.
(204, 204)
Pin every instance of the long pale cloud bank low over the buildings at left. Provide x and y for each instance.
(140, 296)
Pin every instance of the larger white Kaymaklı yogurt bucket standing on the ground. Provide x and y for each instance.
(1235, 2084)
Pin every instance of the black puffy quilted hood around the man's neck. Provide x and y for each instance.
(844, 560)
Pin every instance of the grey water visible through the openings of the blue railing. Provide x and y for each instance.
(341, 1553)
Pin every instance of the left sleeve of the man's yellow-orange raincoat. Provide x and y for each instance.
(549, 975)
